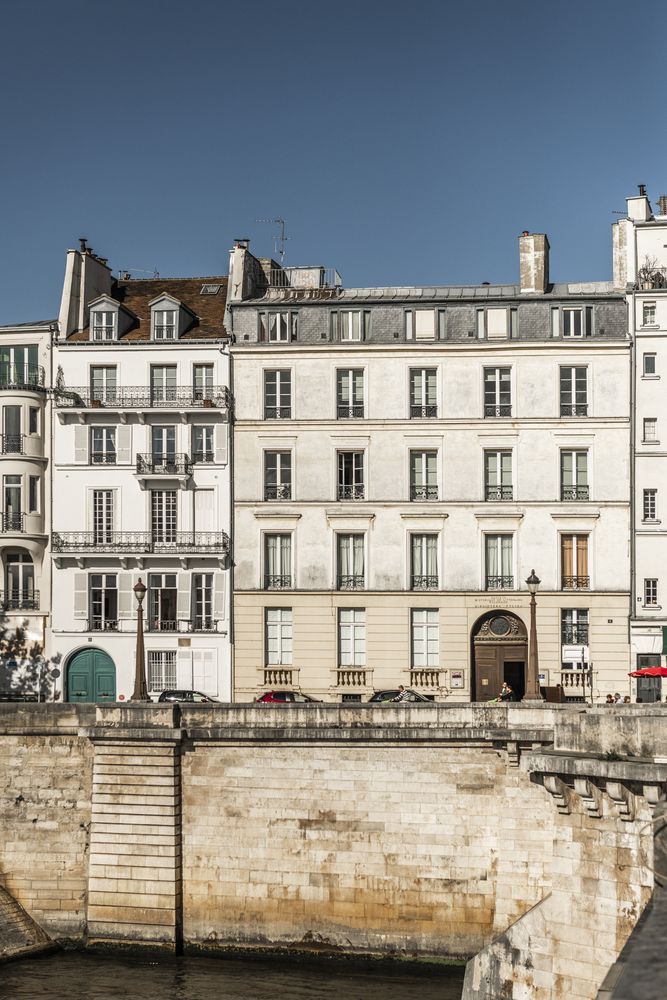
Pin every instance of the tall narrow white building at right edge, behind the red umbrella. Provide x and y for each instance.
(640, 268)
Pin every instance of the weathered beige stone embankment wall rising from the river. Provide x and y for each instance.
(519, 837)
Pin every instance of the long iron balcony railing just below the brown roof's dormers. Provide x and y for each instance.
(143, 397)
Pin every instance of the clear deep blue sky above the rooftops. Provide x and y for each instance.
(404, 143)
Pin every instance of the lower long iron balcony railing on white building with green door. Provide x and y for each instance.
(159, 543)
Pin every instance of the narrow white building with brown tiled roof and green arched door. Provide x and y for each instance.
(141, 485)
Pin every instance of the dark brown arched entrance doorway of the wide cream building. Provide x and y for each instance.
(499, 653)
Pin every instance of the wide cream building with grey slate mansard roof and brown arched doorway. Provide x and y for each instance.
(403, 457)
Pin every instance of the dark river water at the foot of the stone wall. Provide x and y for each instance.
(88, 976)
